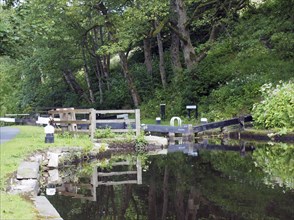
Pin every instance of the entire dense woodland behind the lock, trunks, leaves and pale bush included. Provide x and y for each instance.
(229, 57)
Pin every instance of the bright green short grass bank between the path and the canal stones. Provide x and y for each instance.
(29, 139)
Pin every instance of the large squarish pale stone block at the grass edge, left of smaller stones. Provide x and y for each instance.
(28, 170)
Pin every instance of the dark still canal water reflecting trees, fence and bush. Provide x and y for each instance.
(212, 179)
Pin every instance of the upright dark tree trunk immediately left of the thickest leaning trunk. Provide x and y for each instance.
(175, 40)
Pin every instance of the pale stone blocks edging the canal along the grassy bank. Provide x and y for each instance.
(26, 179)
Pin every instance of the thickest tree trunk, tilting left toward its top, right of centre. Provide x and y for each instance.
(187, 47)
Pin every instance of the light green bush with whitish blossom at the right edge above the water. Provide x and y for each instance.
(276, 110)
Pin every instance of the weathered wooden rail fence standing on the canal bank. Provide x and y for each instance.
(86, 120)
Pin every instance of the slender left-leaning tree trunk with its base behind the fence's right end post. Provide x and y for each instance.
(128, 76)
